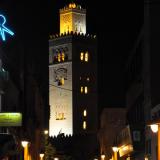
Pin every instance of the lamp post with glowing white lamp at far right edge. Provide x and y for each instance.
(155, 127)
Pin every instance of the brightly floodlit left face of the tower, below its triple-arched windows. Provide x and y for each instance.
(60, 99)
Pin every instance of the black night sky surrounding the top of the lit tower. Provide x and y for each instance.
(116, 25)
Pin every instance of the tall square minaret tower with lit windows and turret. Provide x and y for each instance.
(72, 75)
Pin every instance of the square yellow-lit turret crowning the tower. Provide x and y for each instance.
(73, 18)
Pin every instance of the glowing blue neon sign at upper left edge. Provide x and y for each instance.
(4, 29)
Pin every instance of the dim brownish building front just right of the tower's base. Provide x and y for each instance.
(112, 121)
